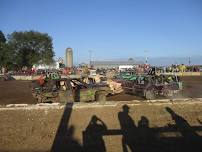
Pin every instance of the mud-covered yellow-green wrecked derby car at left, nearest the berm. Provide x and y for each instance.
(68, 90)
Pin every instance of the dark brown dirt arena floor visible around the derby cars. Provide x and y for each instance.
(12, 92)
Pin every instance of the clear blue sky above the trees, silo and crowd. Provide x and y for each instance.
(112, 29)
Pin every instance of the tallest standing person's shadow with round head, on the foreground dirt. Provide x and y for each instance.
(128, 128)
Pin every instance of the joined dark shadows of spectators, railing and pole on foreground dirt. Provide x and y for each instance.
(180, 136)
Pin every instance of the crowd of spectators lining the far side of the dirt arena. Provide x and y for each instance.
(143, 68)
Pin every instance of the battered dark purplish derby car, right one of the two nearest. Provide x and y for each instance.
(151, 86)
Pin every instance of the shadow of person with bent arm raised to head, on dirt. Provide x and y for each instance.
(93, 140)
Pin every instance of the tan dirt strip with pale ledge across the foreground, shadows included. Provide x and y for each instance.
(112, 127)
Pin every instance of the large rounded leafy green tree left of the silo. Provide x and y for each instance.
(31, 47)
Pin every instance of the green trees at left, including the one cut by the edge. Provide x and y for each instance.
(25, 48)
